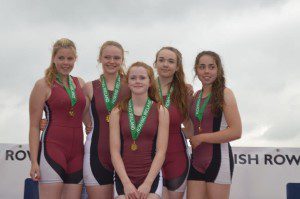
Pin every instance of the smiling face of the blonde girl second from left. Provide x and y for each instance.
(111, 59)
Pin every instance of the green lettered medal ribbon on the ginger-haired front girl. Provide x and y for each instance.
(136, 129)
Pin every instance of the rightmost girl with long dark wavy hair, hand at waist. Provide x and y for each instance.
(216, 122)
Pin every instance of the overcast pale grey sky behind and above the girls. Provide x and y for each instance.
(257, 40)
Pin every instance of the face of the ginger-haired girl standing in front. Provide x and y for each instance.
(138, 80)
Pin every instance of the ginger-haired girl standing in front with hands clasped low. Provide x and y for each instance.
(139, 137)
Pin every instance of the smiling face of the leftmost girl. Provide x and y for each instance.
(64, 60)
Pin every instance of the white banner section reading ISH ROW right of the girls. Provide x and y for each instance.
(263, 173)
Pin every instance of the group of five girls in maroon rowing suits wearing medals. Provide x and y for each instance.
(135, 146)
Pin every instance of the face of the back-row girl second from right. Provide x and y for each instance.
(166, 63)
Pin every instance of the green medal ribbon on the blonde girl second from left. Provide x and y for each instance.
(110, 103)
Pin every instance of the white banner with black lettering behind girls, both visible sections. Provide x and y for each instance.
(260, 173)
